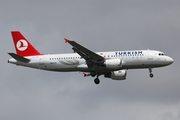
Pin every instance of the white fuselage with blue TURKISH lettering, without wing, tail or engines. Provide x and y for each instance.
(133, 59)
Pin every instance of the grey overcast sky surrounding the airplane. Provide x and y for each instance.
(106, 25)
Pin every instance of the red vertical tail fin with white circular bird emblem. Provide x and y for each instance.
(22, 45)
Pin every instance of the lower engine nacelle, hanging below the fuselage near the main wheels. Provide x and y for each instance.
(117, 75)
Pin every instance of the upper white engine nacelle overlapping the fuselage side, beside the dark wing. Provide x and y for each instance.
(113, 64)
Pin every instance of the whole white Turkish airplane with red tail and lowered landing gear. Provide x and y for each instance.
(112, 64)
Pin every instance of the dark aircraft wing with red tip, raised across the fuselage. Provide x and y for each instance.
(88, 55)
